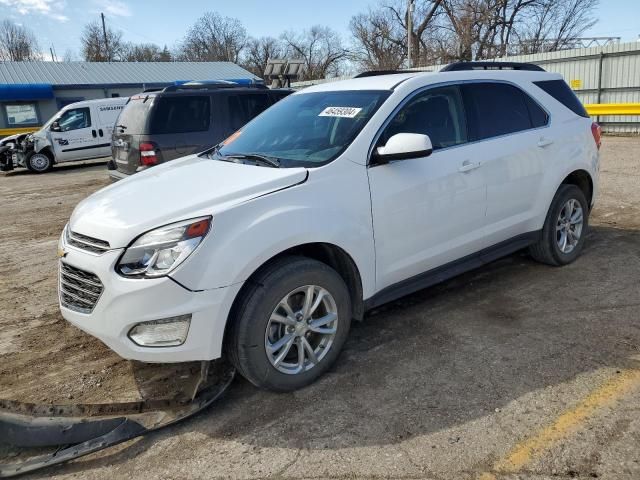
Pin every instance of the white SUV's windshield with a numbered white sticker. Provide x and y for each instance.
(309, 129)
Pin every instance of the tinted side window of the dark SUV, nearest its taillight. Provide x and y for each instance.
(180, 114)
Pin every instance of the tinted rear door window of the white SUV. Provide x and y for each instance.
(495, 109)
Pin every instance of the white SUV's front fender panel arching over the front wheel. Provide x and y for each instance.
(331, 207)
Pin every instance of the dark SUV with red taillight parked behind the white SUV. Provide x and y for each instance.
(157, 126)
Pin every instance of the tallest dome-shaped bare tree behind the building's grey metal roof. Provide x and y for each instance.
(214, 38)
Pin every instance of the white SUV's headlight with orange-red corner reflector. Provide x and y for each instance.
(158, 252)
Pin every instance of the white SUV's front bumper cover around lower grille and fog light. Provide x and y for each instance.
(125, 302)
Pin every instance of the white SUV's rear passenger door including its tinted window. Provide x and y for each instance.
(512, 143)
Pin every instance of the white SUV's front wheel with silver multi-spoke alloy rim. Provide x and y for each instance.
(290, 324)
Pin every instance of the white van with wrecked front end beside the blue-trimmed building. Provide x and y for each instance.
(79, 131)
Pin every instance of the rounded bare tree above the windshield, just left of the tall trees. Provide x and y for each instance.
(321, 49)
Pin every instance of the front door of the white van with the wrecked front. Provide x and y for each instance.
(77, 138)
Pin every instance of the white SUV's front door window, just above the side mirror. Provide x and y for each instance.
(437, 112)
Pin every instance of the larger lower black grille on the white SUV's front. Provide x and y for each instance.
(79, 290)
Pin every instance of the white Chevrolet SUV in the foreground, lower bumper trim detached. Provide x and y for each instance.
(335, 200)
